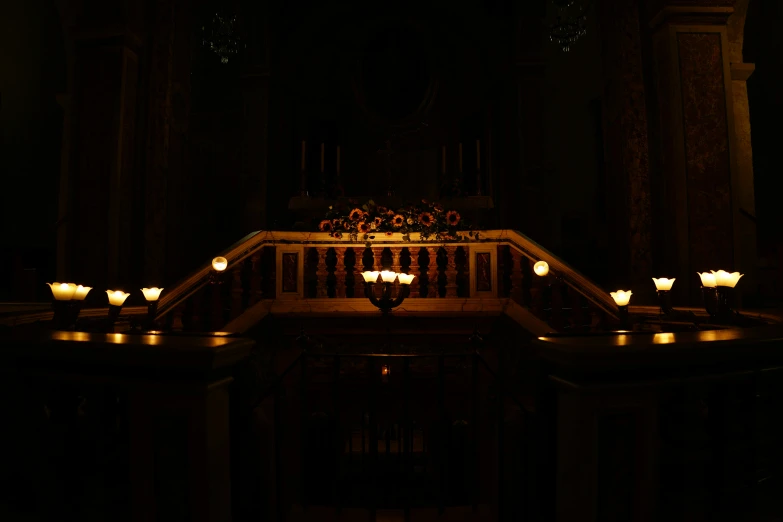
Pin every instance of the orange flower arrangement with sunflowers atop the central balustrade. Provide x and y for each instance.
(429, 219)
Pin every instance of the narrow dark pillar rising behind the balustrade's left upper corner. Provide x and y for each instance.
(255, 92)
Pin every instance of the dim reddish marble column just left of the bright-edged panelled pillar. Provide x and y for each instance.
(626, 145)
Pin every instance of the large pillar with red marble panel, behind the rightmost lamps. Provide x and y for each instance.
(702, 185)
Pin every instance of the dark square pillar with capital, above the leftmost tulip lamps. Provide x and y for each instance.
(102, 151)
